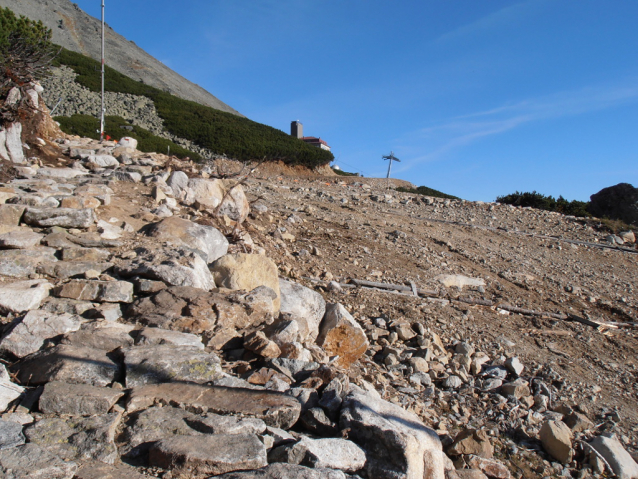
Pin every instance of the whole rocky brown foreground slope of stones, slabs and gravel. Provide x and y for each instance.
(166, 319)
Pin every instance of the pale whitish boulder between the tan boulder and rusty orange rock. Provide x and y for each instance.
(304, 306)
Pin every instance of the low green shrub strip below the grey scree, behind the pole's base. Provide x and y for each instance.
(88, 126)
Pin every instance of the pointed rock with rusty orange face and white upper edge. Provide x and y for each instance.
(340, 335)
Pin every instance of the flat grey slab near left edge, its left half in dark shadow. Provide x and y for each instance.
(72, 364)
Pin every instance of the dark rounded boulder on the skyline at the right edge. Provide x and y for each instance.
(619, 202)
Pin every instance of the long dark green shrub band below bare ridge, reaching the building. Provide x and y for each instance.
(215, 130)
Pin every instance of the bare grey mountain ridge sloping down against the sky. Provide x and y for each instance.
(77, 31)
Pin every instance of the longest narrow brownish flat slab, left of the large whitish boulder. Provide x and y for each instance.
(274, 408)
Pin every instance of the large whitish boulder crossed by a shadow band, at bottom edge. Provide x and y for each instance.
(397, 443)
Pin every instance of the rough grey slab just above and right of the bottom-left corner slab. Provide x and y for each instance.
(77, 439)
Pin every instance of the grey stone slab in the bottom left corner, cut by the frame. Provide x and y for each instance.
(34, 462)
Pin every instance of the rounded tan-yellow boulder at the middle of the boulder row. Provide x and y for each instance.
(246, 272)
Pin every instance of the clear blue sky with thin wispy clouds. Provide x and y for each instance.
(478, 98)
